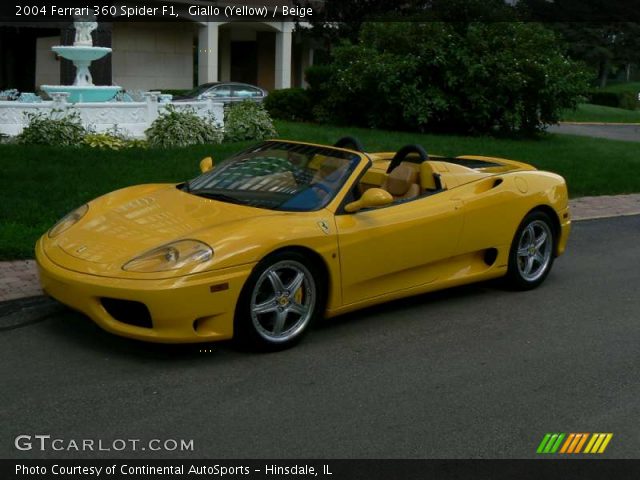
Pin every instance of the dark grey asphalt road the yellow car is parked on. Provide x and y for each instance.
(473, 372)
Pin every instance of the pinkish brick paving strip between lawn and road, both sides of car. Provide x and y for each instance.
(19, 279)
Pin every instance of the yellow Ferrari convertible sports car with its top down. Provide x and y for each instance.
(286, 232)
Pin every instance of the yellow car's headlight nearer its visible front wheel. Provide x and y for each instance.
(171, 257)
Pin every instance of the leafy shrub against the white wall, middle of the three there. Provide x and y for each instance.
(175, 128)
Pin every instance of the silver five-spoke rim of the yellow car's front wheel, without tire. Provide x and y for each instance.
(283, 301)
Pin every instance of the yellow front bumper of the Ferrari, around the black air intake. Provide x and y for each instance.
(191, 308)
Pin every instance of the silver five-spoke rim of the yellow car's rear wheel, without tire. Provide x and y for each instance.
(535, 248)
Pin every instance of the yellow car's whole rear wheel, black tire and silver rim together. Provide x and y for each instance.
(529, 264)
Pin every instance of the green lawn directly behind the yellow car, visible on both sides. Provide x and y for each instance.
(43, 183)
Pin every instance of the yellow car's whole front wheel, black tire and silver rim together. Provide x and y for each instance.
(272, 312)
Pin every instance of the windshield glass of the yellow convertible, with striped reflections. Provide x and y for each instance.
(278, 176)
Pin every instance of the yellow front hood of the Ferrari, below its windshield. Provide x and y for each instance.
(128, 222)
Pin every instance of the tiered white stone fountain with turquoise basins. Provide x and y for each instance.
(82, 53)
